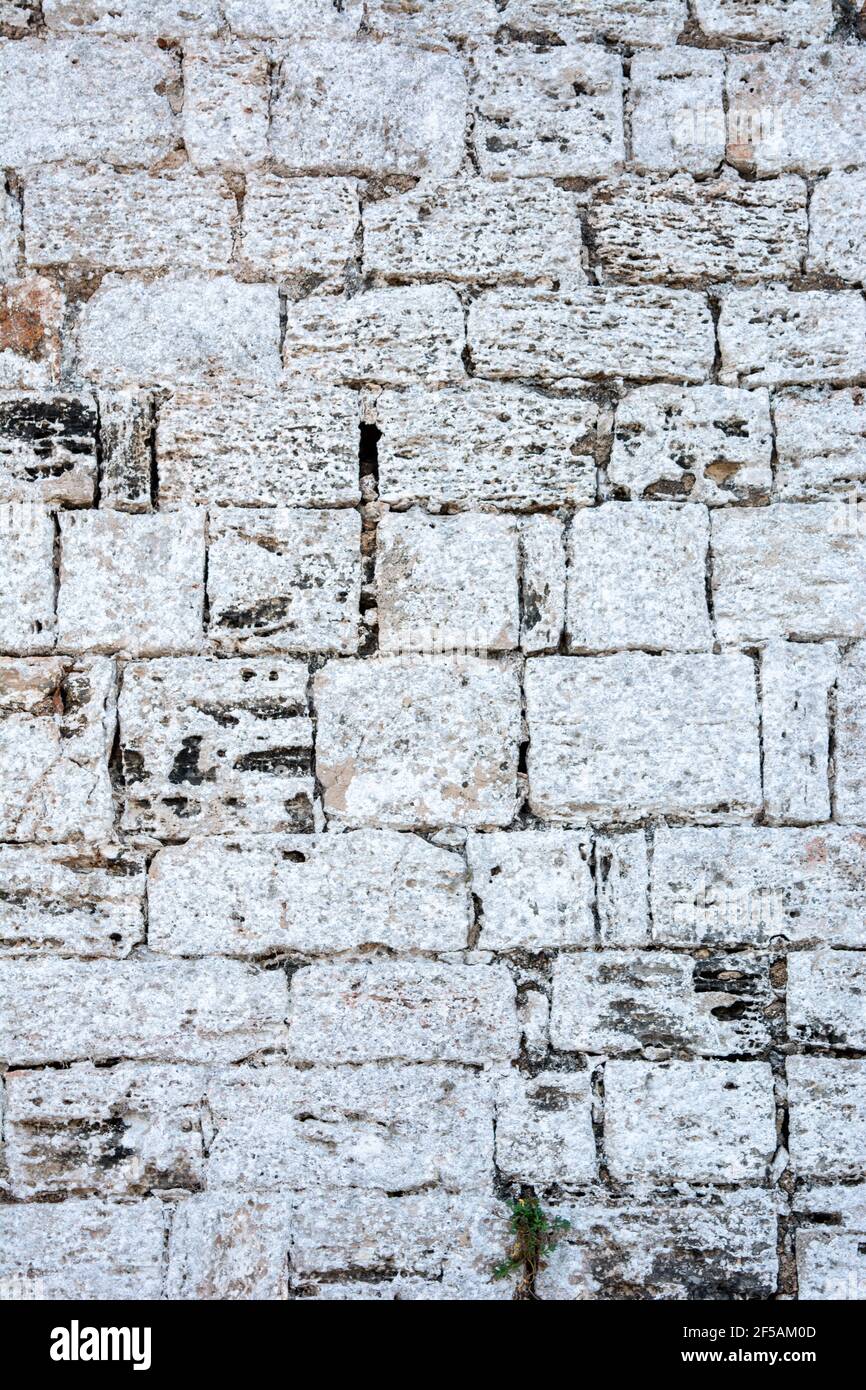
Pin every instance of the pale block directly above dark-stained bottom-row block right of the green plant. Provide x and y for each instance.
(705, 1122)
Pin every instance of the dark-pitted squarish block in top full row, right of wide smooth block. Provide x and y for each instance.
(548, 113)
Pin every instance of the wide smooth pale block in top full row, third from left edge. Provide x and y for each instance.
(369, 109)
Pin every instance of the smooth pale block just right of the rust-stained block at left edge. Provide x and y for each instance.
(180, 329)
